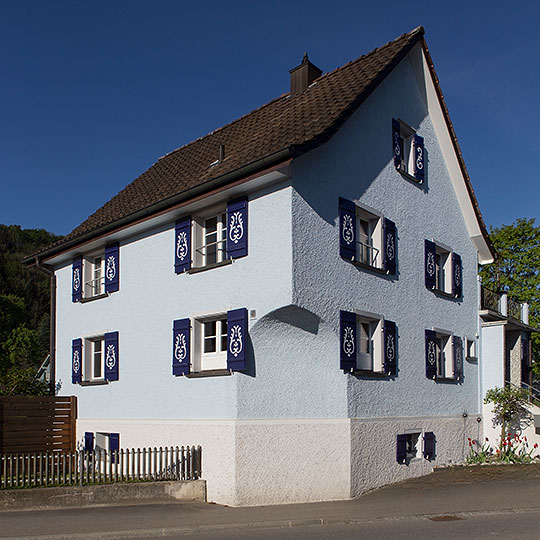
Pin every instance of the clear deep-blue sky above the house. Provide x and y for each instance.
(93, 93)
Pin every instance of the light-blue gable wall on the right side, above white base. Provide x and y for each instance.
(357, 164)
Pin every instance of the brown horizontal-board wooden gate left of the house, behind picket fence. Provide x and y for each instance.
(37, 424)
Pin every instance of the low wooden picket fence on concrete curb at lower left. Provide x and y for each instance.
(100, 466)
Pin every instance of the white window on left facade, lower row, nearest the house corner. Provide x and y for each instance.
(215, 360)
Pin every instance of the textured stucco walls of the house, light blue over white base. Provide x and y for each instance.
(294, 427)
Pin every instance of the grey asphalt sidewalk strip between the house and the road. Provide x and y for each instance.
(446, 492)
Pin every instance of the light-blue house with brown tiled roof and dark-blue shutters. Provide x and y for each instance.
(294, 291)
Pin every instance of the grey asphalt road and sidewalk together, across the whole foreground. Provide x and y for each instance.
(479, 503)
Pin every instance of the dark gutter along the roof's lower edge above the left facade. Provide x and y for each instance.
(169, 202)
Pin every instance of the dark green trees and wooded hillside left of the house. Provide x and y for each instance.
(24, 311)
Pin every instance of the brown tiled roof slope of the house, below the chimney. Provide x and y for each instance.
(284, 127)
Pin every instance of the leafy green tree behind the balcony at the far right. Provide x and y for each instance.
(517, 271)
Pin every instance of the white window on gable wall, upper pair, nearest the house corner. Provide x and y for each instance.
(370, 248)
